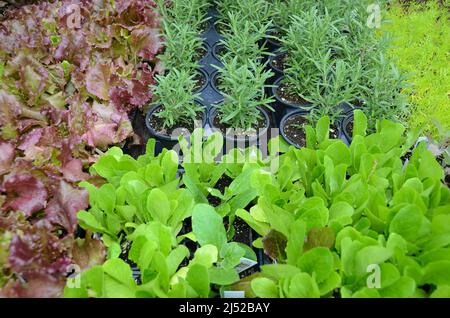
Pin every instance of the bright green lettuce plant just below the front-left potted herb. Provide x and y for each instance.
(137, 192)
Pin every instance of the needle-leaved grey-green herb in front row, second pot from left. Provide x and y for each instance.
(243, 87)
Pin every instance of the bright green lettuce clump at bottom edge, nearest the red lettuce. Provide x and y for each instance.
(158, 256)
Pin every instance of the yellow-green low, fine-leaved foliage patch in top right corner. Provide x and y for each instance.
(421, 46)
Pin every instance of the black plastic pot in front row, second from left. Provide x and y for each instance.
(239, 142)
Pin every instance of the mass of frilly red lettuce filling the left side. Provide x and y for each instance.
(71, 70)
